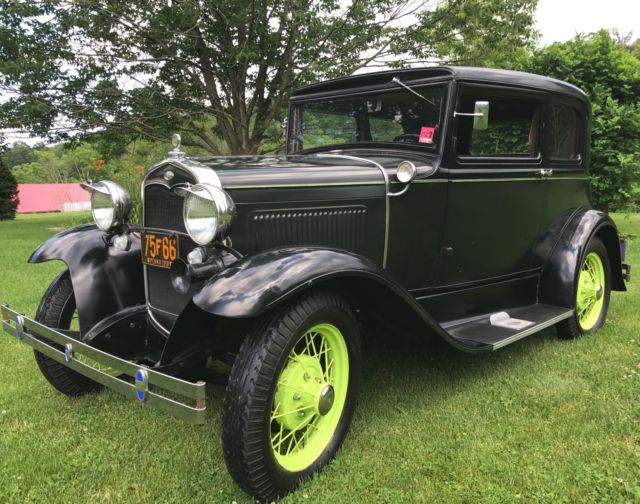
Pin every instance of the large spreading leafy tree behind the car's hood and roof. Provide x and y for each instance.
(219, 72)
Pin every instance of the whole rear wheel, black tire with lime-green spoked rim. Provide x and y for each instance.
(592, 293)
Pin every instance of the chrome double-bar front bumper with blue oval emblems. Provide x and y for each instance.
(134, 381)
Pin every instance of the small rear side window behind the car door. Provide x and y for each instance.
(564, 131)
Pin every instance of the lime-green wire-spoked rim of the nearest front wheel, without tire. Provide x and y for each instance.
(309, 397)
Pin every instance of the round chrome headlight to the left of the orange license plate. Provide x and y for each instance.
(110, 204)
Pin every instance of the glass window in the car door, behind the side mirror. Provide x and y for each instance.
(512, 130)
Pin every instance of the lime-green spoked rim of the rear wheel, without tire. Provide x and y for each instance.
(590, 293)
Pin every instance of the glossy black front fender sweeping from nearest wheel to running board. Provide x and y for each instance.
(259, 283)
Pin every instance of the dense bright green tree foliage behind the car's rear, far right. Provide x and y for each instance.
(610, 75)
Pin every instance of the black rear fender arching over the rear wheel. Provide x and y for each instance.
(563, 265)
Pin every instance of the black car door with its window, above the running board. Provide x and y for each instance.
(495, 193)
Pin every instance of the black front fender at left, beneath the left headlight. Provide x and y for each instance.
(105, 279)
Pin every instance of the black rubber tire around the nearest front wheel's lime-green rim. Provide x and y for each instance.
(246, 422)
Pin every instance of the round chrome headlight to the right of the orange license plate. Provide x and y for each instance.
(208, 212)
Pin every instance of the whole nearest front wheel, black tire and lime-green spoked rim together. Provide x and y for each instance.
(291, 395)
